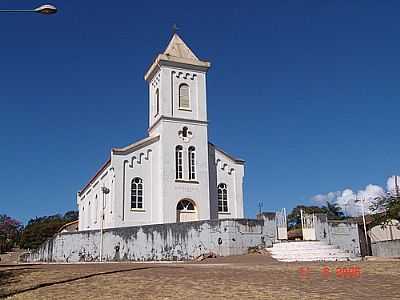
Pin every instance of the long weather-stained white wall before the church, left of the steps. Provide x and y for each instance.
(178, 241)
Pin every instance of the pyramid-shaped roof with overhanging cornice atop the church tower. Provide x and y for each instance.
(177, 54)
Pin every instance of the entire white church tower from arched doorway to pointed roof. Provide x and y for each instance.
(178, 115)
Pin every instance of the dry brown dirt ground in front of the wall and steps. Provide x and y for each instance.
(252, 276)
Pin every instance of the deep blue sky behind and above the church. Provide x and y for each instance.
(307, 92)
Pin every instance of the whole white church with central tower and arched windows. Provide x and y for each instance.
(175, 174)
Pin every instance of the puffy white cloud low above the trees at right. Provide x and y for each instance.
(351, 201)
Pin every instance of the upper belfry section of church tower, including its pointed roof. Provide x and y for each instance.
(177, 84)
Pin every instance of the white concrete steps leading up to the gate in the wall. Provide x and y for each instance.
(308, 251)
